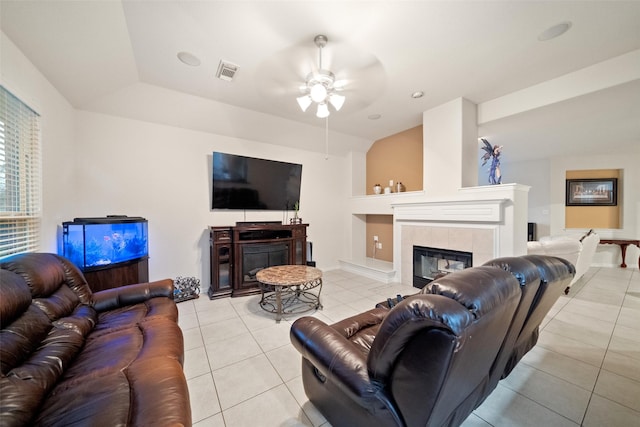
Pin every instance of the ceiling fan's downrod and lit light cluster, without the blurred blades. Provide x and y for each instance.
(320, 86)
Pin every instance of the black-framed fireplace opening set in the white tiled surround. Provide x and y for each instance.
(431, 263)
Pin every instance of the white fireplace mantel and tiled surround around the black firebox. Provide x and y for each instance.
(488, 221)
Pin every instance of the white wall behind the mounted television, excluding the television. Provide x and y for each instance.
(163, 173)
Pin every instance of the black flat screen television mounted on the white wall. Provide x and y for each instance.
(241, 182)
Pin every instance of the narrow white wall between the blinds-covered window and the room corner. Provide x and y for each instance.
(20, 77)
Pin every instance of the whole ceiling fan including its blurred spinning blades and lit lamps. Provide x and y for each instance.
(340, 67)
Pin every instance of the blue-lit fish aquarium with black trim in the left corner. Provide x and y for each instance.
(94, 243)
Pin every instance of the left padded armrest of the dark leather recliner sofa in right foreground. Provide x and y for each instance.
(335, 357)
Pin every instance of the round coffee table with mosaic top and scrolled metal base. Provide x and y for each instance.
(286, 289)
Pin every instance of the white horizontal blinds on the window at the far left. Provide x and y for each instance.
(20, 182)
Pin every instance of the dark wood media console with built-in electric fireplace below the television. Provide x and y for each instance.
(239, 252)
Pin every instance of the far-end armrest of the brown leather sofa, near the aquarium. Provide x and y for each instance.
(110, 299)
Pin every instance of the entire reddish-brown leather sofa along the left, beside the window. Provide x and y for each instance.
(70, 357)
